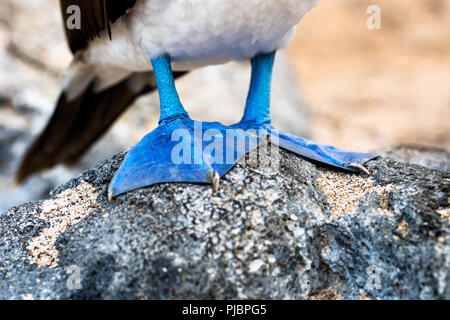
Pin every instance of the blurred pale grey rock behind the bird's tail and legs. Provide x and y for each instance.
(31, 66)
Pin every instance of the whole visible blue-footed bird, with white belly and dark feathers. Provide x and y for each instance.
(124, 49)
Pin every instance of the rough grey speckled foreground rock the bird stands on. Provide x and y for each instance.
(284, 229)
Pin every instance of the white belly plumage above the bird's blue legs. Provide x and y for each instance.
(197, 33)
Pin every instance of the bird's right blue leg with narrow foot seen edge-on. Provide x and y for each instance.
(257, 115)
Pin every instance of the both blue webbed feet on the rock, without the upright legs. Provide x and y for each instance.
(184, 150)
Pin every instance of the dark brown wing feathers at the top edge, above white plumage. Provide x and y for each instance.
(96, 17)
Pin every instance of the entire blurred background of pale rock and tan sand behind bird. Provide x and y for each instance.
(339, 83)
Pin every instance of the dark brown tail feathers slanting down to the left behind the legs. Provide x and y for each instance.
(77, 123)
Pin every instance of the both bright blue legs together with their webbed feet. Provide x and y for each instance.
(181, 150)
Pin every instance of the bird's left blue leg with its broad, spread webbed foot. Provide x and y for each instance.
(180, 149)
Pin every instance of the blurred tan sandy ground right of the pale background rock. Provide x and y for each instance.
(372, 88)
